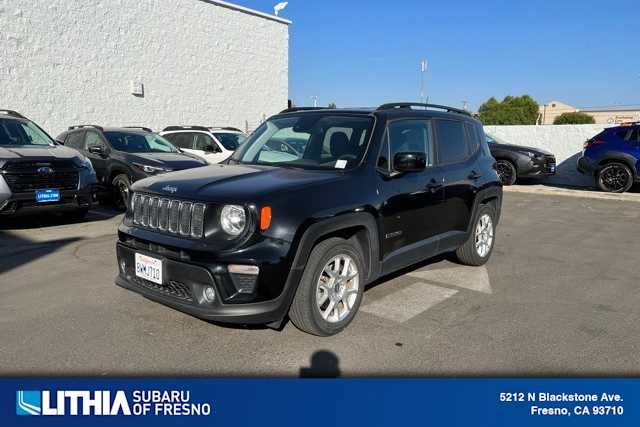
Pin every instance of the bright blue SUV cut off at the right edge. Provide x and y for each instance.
(612, 157)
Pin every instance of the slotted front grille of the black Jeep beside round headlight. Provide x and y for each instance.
(173, 216)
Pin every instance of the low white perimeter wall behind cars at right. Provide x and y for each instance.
(565, 141)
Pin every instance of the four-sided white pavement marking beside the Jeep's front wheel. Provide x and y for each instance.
(408, 302)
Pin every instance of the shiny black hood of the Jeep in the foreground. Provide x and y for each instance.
(228, 183)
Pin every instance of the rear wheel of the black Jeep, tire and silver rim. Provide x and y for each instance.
(477, 250)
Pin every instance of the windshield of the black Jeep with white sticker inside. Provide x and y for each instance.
(308, 141)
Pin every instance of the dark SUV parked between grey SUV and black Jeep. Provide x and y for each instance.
(122, 156)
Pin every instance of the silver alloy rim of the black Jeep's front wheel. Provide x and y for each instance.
(337, 288)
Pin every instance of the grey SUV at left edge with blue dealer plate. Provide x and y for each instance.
(37, 175)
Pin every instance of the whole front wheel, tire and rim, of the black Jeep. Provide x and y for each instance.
(331, 289)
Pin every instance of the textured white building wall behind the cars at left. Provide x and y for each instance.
(65, 62)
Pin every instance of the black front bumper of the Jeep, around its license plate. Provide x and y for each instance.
(184, 284)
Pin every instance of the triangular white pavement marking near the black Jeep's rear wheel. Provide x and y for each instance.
(471, 278)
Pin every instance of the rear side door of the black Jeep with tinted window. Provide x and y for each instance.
(456, 150)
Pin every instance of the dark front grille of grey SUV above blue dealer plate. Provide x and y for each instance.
(29, 176)
